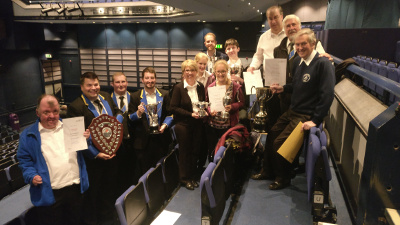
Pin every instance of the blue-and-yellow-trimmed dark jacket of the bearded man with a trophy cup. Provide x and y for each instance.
(141, 125)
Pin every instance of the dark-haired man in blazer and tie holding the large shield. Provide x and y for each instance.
(102, 170)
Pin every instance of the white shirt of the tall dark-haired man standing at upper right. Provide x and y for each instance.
(265, 47)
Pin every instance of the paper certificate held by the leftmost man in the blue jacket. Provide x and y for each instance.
(73, 134)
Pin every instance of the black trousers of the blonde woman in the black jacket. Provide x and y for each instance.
(189, 137)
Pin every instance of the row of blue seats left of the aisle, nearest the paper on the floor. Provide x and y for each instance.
(140, 203)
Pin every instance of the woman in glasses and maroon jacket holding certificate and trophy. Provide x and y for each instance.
(226, 98)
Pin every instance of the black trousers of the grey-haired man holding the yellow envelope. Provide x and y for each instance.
(274, 163)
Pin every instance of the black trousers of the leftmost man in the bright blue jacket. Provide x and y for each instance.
(66, 210)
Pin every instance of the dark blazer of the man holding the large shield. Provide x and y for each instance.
(79, 108)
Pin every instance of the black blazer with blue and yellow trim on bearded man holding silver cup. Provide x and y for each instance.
(140, 127)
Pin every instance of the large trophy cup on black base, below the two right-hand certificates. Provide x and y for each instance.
(260, 120)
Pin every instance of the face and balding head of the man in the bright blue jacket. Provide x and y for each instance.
(48, 112)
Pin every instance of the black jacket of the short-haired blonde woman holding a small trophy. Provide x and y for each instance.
(181, 105)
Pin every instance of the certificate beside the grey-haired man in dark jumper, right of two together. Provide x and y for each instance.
(275, 71)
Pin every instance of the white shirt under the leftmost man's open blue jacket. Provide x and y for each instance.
(63, 167)
